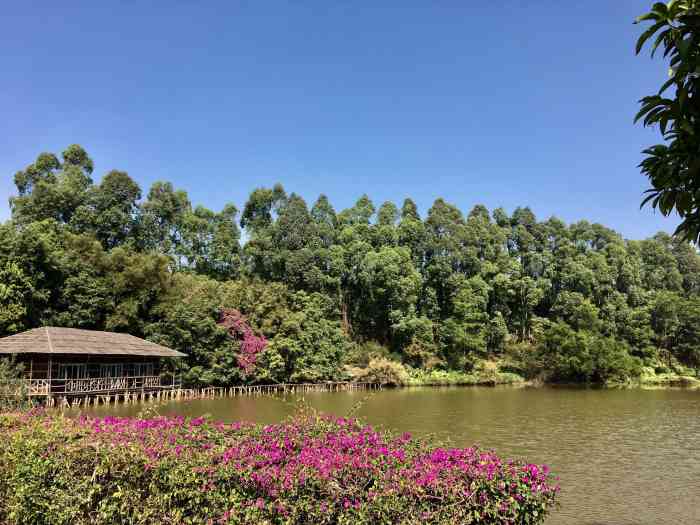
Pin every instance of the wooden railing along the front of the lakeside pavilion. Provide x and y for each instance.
(95, 385)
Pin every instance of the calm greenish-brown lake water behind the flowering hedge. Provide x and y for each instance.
(625, 457)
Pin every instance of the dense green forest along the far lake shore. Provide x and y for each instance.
(286, 292)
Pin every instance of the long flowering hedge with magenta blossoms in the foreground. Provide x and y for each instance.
(310, 469)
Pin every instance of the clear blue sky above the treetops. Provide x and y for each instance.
(500, 103)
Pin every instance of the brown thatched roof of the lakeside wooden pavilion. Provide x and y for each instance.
(50, 340)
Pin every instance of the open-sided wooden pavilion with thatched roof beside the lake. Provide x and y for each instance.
(73, 362)
